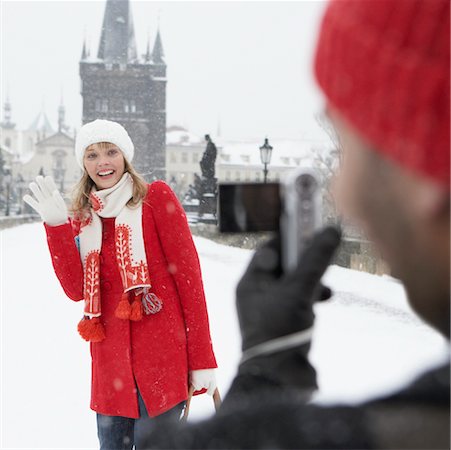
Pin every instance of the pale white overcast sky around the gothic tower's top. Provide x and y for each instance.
(246, 65)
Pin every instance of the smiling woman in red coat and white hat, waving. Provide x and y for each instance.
(128, 253)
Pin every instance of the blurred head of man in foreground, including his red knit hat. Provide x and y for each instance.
(384, 67)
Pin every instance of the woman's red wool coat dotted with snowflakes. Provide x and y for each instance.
(157, 352)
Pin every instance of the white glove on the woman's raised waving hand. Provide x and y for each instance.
(48, 202)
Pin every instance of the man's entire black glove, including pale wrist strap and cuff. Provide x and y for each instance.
(275, 312)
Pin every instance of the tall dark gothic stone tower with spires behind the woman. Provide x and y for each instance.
(118, 85)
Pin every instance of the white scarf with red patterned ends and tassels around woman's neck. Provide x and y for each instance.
(130, 252)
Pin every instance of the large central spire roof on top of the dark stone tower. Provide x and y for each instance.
(117, 41)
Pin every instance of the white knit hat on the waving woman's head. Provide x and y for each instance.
(103, 131)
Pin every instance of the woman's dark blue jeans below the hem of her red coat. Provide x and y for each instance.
(122, 433)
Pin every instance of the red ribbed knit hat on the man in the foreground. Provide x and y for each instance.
(385, 66)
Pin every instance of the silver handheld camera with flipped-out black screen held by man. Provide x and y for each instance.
(292, 207)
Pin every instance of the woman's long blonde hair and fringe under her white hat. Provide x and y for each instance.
(81, 203)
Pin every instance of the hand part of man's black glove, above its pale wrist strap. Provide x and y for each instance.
(271, 304)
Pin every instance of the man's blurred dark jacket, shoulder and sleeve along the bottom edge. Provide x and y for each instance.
(258, 412)
